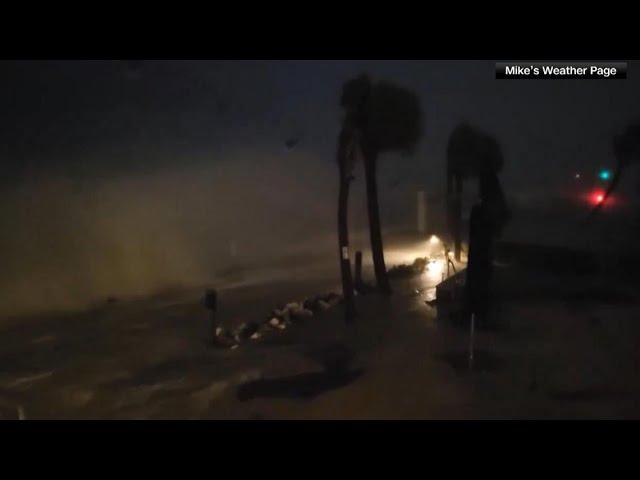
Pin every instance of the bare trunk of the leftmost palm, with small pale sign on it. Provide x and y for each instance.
(343, 240)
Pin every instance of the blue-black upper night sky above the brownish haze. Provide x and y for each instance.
(114, 117)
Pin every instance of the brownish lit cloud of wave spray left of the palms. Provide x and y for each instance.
(68, 243)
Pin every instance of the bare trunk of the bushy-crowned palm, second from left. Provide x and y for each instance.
(382, 280)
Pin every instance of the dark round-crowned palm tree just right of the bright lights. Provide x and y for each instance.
(472, 154)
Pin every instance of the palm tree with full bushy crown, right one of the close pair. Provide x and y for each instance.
(393, 122)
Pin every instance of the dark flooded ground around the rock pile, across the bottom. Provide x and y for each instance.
(561, 351)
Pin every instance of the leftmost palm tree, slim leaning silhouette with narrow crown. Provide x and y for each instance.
(355, 94)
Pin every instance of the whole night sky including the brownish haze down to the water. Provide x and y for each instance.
(154, 147)
